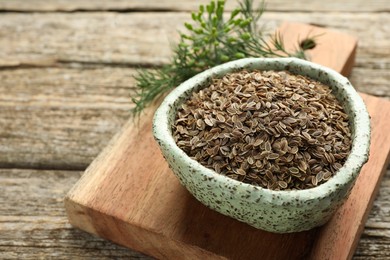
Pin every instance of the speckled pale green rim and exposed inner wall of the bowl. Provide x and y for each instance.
(341, 87)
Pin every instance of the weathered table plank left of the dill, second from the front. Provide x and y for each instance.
(60, 118)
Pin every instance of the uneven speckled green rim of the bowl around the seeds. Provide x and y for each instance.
(344, 176)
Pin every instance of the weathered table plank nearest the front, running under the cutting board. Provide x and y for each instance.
(33, 223)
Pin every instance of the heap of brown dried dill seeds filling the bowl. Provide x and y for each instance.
(270, 129)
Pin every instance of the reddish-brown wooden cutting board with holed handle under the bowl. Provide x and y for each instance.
(130, 196)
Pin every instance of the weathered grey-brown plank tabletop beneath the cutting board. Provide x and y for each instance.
(65, 84)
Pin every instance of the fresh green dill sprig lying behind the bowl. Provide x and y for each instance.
(210, 41)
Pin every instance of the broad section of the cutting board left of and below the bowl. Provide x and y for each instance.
(90, 208)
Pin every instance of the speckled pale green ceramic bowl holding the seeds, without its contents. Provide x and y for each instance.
(275, 211)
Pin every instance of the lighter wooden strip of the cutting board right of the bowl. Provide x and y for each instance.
(340, 232)
